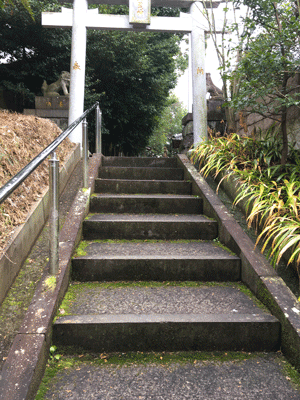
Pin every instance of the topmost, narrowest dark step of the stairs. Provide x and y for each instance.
(164, 162)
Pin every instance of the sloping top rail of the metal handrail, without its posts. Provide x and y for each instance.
(20, 177)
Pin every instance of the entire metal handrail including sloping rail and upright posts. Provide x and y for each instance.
(20, 177)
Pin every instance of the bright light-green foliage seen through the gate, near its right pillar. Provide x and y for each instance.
(169, 123)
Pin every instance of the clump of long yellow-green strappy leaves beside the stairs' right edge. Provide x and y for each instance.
(270, 190)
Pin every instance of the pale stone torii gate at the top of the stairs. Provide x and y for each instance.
(139, 19)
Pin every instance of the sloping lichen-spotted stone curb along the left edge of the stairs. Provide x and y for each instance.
(24, 367)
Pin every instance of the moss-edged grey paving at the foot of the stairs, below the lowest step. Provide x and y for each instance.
(169, 376)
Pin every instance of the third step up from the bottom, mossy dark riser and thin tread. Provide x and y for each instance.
(149, 226)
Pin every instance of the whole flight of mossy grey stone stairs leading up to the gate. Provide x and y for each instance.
(150, 273)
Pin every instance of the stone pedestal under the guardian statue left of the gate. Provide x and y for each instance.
(54, 108)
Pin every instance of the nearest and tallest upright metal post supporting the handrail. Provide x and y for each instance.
(54, 216)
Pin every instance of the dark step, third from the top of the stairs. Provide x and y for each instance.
(142, 186)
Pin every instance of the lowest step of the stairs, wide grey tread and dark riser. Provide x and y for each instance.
(106, 318)
